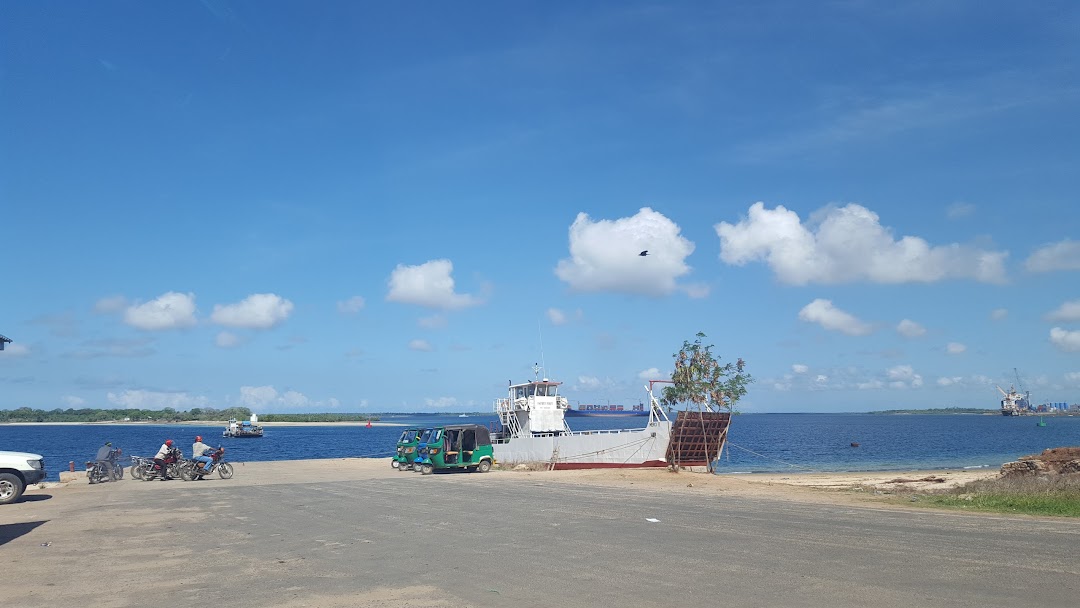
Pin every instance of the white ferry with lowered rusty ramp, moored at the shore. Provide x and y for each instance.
(534, 430)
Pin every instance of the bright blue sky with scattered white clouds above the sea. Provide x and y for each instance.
(382, 207)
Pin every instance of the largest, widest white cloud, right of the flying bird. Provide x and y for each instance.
(848, 245)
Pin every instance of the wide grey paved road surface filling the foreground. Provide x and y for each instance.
(292, 535)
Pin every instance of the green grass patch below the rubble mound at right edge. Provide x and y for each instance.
(1030, 496)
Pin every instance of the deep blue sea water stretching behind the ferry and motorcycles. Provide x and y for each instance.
(758, 442)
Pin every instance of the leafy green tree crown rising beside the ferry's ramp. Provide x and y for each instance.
(700, 380)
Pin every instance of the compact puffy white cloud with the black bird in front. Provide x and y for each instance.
(604, 255)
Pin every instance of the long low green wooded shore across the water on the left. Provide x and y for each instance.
(169, 415)
